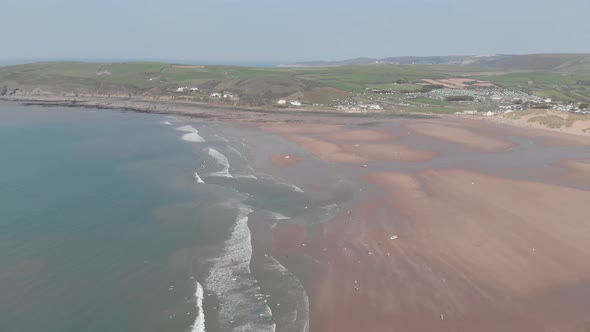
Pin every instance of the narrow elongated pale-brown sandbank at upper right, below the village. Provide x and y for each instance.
(464, 137)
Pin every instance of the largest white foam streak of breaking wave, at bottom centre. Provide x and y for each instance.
(242, 308)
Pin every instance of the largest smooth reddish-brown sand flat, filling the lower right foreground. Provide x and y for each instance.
(474, 253)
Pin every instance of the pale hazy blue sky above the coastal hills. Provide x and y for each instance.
(228, 31)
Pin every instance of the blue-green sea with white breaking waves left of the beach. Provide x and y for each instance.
(120, 221)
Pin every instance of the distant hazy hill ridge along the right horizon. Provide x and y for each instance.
(553, 62)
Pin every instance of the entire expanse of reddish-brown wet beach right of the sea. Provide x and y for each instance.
(462, 247)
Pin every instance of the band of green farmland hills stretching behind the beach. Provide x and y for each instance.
(264, 86)
